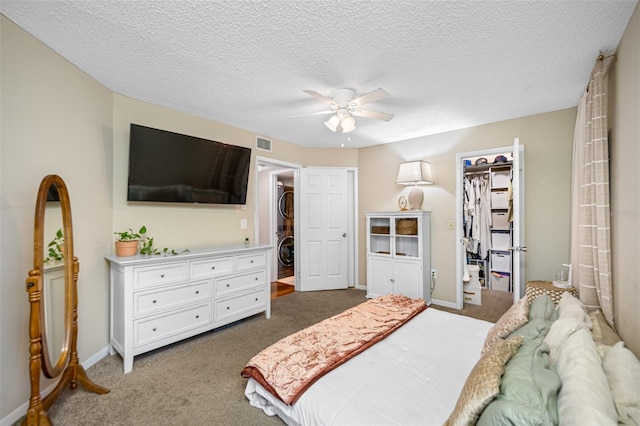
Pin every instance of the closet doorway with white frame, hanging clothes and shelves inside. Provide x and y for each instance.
(489, 200)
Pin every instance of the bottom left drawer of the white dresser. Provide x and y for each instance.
(150, 330)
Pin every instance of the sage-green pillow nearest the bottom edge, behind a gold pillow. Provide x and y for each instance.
(529, 389)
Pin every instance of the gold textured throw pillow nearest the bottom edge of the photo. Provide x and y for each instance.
(483, 383)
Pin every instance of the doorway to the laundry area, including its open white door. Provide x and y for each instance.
(269, 173)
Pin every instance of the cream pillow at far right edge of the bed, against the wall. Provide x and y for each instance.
(622, 369)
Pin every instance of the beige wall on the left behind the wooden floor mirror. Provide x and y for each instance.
(55, 120)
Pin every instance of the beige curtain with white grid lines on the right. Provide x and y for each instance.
(590, 236)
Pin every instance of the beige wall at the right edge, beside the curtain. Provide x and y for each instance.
(625, 191)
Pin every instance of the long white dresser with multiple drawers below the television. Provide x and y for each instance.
(158, 300)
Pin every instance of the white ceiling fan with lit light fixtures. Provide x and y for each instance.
(345, 105)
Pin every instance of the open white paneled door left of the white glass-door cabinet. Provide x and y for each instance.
(323, 252)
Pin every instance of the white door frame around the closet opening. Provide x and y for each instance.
(517, 287)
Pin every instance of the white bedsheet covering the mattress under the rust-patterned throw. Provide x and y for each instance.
(413, 377)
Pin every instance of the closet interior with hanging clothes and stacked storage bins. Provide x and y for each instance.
(487, 224)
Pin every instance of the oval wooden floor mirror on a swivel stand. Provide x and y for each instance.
(53, 300)
